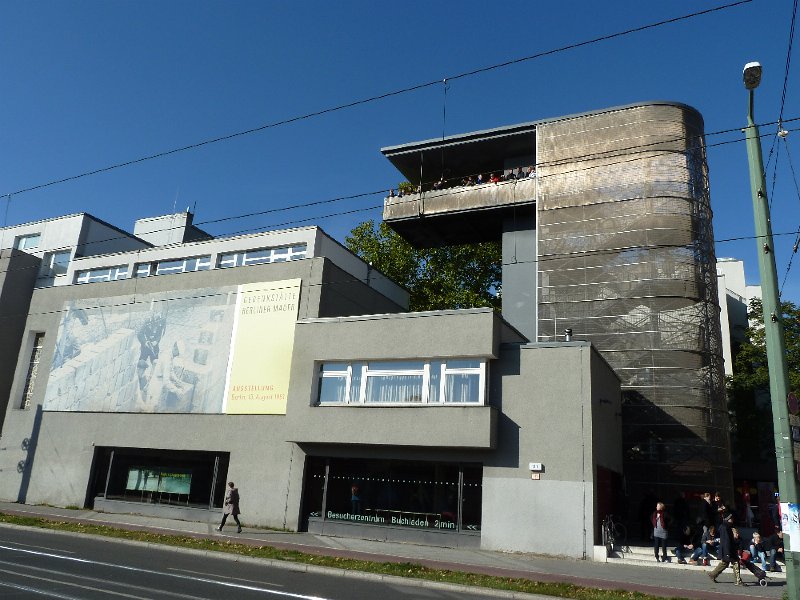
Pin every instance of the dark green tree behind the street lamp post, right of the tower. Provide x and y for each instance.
(748, 387)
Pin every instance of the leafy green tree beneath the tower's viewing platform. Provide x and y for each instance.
(464, 276)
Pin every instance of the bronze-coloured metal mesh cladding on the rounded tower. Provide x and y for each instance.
(626, 260)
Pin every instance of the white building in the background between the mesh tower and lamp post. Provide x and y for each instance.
(734, 298)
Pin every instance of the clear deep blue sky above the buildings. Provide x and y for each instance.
(87, 84)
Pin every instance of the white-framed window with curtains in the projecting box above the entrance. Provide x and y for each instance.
(450, 381)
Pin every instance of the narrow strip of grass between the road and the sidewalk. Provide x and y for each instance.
(410, 570)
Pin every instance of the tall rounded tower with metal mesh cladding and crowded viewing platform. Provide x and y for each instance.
(605, 222)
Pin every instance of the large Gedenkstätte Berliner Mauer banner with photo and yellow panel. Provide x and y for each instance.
(170, 352)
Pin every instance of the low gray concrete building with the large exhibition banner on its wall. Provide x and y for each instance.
(150, 376)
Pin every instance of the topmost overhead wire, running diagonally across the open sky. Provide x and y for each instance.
(375, 98)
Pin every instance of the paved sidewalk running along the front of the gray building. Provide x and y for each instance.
(653, 579)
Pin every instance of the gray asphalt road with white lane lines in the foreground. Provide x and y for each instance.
(36, 565)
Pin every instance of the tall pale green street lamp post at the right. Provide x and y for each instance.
(773, 324)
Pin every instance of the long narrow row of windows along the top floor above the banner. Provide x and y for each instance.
(194, 263)
